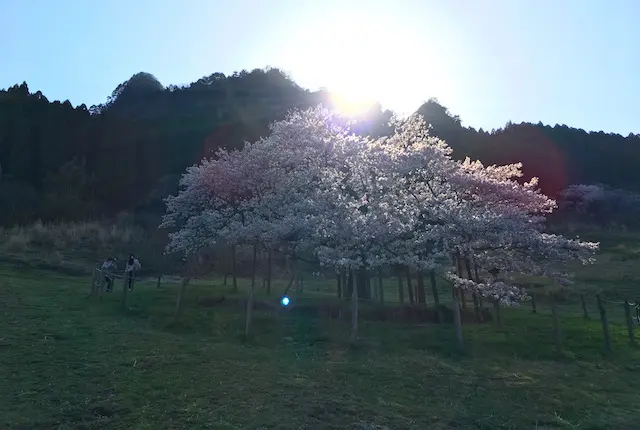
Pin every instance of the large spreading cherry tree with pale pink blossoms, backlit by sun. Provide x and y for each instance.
(312, 187)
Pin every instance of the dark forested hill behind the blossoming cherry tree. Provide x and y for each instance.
(61, 162)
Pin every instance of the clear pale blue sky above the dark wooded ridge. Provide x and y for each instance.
(573, 62)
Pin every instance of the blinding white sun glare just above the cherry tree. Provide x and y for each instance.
(359, 62)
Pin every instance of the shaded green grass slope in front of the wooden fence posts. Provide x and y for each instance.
(71, 362)
